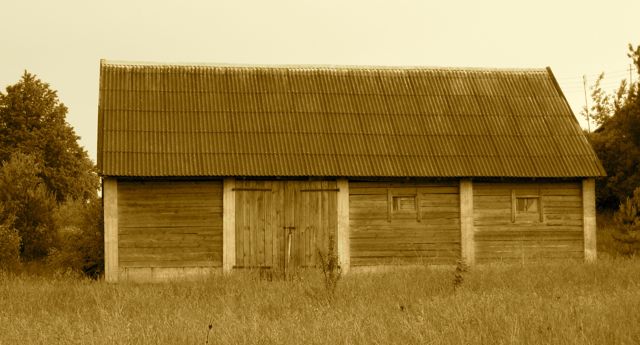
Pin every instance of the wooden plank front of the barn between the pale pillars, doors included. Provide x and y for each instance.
(178, 224)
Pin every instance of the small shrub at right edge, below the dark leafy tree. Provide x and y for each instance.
(627, 225)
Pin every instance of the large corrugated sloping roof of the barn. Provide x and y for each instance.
(222, 120)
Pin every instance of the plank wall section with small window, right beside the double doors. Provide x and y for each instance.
(379, 236)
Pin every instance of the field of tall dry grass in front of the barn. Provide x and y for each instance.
(546, 303)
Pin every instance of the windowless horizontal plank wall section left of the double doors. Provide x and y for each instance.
(170, 224)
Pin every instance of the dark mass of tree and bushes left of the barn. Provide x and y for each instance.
(44, 174)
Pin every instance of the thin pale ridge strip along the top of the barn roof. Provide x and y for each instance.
(125, 63)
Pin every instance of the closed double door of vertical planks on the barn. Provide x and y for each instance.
(283, 224)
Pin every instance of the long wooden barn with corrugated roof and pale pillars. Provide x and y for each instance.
(211, 168)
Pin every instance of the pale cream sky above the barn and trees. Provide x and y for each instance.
(63, 41)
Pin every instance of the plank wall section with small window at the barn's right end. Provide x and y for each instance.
(557, 234)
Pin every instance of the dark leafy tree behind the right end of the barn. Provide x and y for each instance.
(617, 140)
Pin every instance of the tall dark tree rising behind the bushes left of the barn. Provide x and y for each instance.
(32, 121)
